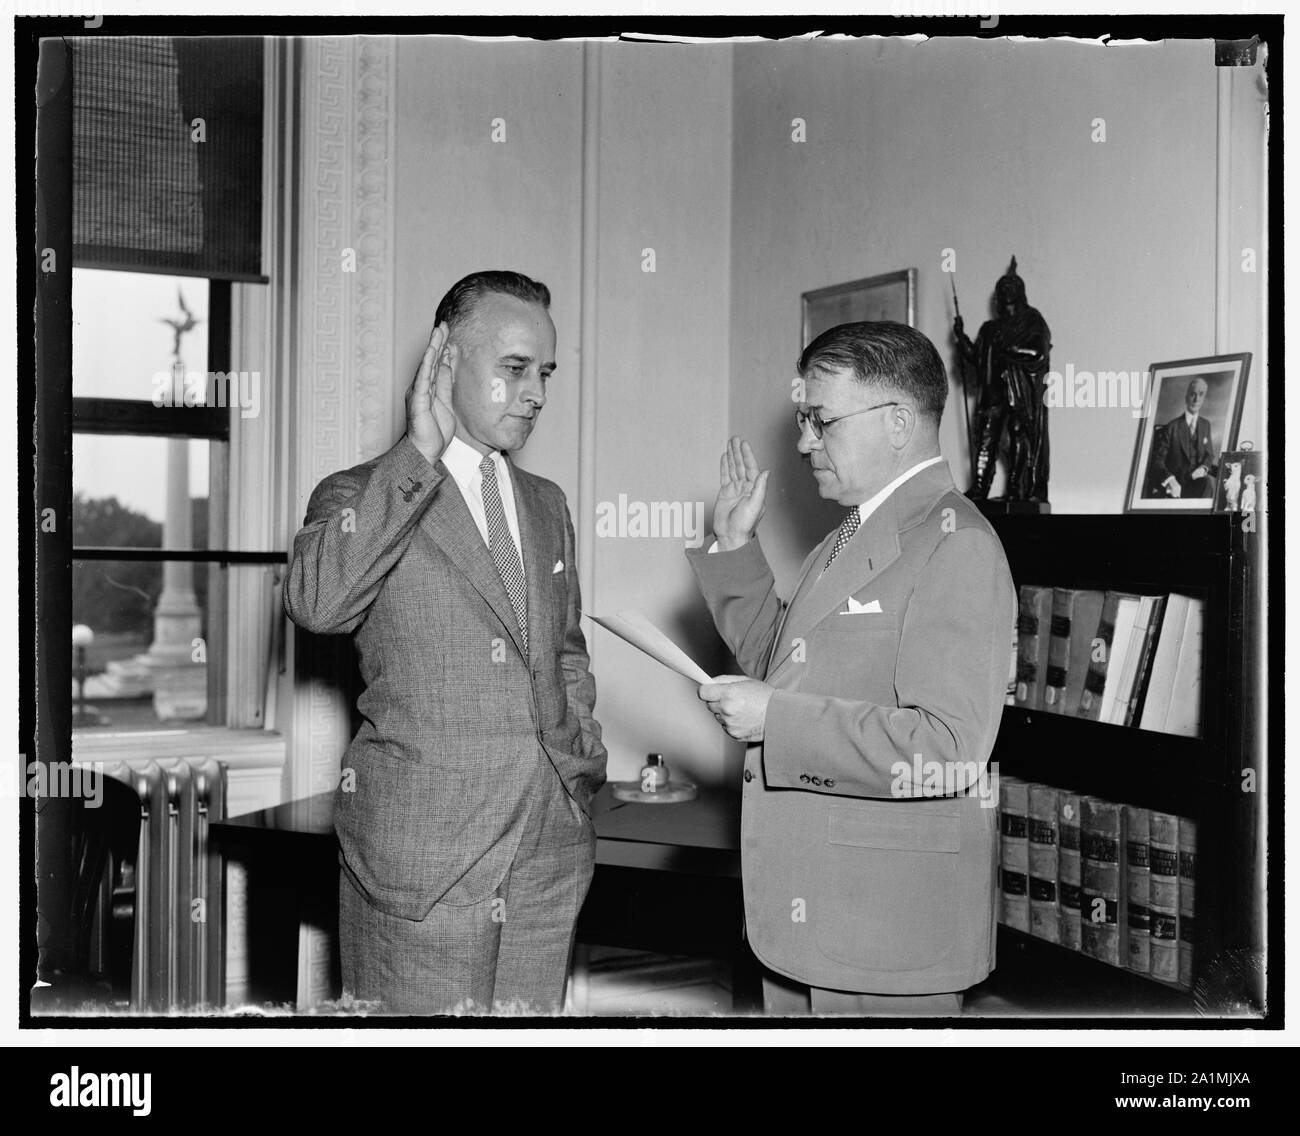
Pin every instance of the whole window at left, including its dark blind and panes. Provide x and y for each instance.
(167, 215)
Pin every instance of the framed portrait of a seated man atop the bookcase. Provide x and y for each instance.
(1190, 419)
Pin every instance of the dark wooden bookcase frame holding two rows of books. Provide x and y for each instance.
(1208, 557)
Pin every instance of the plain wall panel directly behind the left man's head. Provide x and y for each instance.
(465, 203)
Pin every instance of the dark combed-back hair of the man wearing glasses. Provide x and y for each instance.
(892, 355)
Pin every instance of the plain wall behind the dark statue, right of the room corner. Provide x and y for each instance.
(985, 149)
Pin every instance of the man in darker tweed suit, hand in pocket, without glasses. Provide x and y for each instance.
(463, 810)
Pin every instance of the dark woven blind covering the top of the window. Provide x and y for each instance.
(167, 155)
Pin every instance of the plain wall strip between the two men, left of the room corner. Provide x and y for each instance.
(661, 393)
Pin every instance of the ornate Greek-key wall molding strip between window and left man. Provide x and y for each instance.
(343, 389)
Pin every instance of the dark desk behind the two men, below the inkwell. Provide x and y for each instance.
(668, 879)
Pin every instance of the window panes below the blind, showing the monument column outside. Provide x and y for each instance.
(150, 452)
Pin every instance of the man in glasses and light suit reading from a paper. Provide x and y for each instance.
(869, 839)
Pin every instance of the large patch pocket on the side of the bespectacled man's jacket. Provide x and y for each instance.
(890, 884)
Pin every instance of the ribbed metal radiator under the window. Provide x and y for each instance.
(179, 939)
